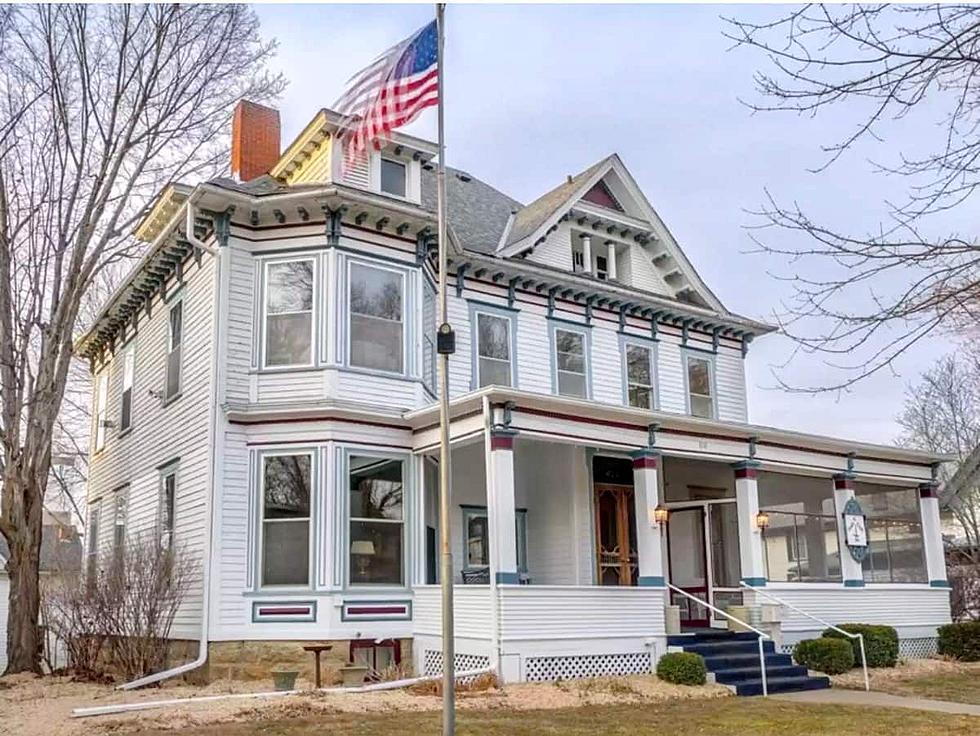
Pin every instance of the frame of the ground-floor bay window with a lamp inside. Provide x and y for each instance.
(405, 521)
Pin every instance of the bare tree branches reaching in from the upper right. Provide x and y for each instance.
(863, 299)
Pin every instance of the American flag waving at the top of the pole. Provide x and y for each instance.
(391, 92)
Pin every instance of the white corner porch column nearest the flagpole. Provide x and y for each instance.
(501, 510)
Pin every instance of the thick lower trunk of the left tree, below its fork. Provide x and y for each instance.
(23, 636)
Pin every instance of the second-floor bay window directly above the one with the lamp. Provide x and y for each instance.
(377, 333)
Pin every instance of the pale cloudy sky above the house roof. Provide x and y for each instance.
(534, 93)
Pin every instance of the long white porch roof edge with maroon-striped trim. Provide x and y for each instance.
(745, 440)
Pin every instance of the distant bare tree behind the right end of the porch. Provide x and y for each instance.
(942, 414)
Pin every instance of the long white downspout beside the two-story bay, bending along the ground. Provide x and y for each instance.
(202, 654)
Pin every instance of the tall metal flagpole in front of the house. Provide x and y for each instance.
(446, 578)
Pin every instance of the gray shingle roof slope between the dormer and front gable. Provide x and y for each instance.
(478, 213)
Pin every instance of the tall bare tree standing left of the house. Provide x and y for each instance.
(100, 107)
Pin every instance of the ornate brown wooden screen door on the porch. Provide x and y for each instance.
(615, 529)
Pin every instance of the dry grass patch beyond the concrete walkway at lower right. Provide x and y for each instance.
(935, 679)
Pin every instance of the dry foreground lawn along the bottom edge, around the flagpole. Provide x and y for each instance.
(721, 717)
